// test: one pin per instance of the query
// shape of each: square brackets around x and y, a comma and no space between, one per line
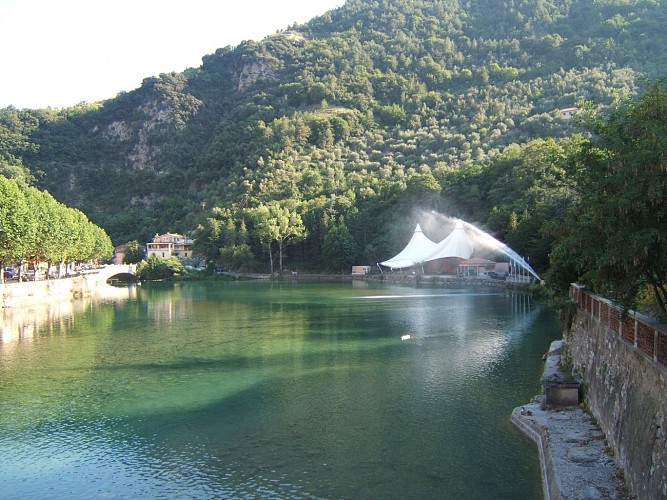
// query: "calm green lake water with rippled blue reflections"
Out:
[272,390]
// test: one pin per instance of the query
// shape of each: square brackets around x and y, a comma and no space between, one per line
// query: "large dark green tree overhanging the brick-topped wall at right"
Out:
[616,238]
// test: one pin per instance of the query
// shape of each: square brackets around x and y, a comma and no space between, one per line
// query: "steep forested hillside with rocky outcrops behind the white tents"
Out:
[326,139]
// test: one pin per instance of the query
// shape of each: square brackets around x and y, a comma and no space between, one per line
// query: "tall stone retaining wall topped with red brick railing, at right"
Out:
[625,387]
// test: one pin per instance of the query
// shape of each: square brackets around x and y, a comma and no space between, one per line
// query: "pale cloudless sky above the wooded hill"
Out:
[58,53]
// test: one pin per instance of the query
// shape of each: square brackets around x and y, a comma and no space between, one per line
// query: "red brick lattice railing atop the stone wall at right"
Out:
[645,335]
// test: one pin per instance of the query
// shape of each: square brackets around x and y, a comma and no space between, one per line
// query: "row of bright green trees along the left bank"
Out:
[36,228]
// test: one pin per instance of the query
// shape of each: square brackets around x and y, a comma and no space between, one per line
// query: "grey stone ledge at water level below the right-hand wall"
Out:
[575,458]
